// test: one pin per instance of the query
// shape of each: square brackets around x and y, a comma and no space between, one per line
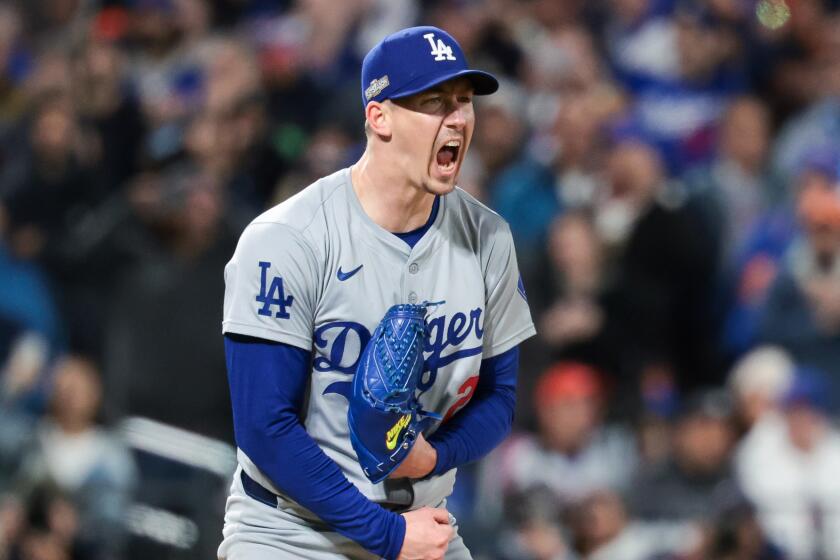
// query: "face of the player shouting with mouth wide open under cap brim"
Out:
[431,133]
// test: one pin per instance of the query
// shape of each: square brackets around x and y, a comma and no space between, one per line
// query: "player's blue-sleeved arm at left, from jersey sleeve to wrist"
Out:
[266,382]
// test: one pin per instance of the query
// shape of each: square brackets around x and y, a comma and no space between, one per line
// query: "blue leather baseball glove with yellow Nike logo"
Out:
[385,416]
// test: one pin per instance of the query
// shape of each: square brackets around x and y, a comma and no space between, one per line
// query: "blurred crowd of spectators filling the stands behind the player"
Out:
[670,170]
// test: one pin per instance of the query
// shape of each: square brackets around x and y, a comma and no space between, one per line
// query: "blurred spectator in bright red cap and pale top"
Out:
[574,451]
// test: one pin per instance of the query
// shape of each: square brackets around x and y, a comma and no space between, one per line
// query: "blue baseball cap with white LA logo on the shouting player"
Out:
[413,60]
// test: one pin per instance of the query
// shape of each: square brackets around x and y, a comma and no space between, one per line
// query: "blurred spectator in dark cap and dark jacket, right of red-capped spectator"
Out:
[684,487]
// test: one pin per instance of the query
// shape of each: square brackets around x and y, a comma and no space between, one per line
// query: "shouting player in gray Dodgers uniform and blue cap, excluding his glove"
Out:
[307,286]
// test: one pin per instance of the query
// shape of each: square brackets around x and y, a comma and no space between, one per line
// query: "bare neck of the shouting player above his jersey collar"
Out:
[388,199]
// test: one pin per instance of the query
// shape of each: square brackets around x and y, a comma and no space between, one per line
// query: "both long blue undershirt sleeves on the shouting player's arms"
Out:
[268,381]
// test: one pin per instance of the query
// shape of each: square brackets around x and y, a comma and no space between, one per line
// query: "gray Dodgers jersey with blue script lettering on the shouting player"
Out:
[317,273]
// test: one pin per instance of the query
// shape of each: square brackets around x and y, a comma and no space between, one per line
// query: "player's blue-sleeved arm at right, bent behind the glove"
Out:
[485,421]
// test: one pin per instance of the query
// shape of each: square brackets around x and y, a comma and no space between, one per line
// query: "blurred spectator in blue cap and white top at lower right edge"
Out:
[787,466]
